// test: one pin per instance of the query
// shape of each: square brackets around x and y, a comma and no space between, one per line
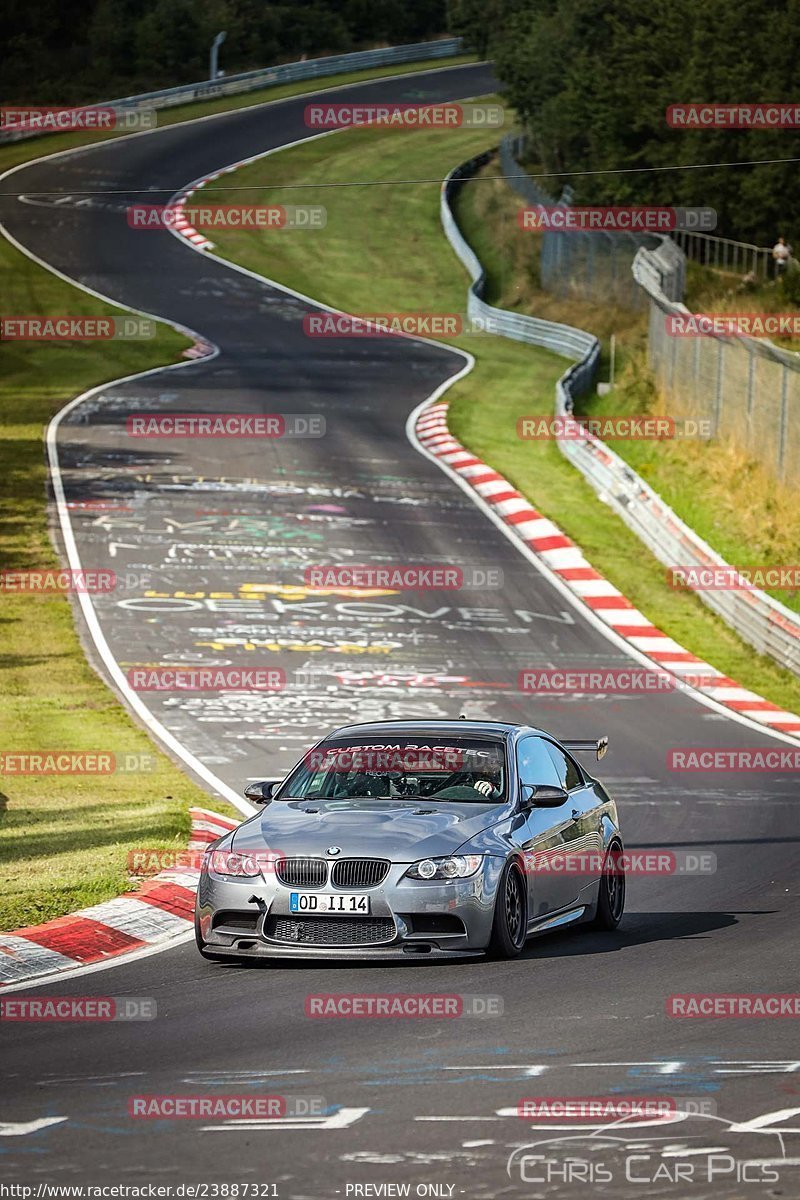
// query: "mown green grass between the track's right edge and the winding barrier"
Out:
[383,250]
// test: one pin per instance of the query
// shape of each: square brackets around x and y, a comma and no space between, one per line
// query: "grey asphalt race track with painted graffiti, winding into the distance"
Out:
[218,531]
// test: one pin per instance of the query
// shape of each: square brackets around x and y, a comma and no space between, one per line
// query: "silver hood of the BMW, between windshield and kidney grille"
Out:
[396,830]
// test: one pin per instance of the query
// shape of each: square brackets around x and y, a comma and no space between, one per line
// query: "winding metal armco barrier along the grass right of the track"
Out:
[766,625]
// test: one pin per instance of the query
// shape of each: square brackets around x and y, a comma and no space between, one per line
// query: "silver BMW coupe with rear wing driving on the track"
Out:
[417,838]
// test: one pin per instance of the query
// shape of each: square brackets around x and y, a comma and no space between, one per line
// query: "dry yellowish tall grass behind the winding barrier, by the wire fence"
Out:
[757,521]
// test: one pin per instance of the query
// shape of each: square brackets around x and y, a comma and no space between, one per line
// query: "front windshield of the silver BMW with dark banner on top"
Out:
[466,770]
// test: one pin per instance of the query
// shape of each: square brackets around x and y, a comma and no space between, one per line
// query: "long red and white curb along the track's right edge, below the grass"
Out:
[567,561]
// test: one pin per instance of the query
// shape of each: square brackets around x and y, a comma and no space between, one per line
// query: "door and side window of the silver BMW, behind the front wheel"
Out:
[548,832]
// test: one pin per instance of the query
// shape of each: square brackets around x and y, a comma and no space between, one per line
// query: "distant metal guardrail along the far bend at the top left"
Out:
[267,77]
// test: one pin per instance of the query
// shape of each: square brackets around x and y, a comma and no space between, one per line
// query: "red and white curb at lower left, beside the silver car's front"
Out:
[161,909]
